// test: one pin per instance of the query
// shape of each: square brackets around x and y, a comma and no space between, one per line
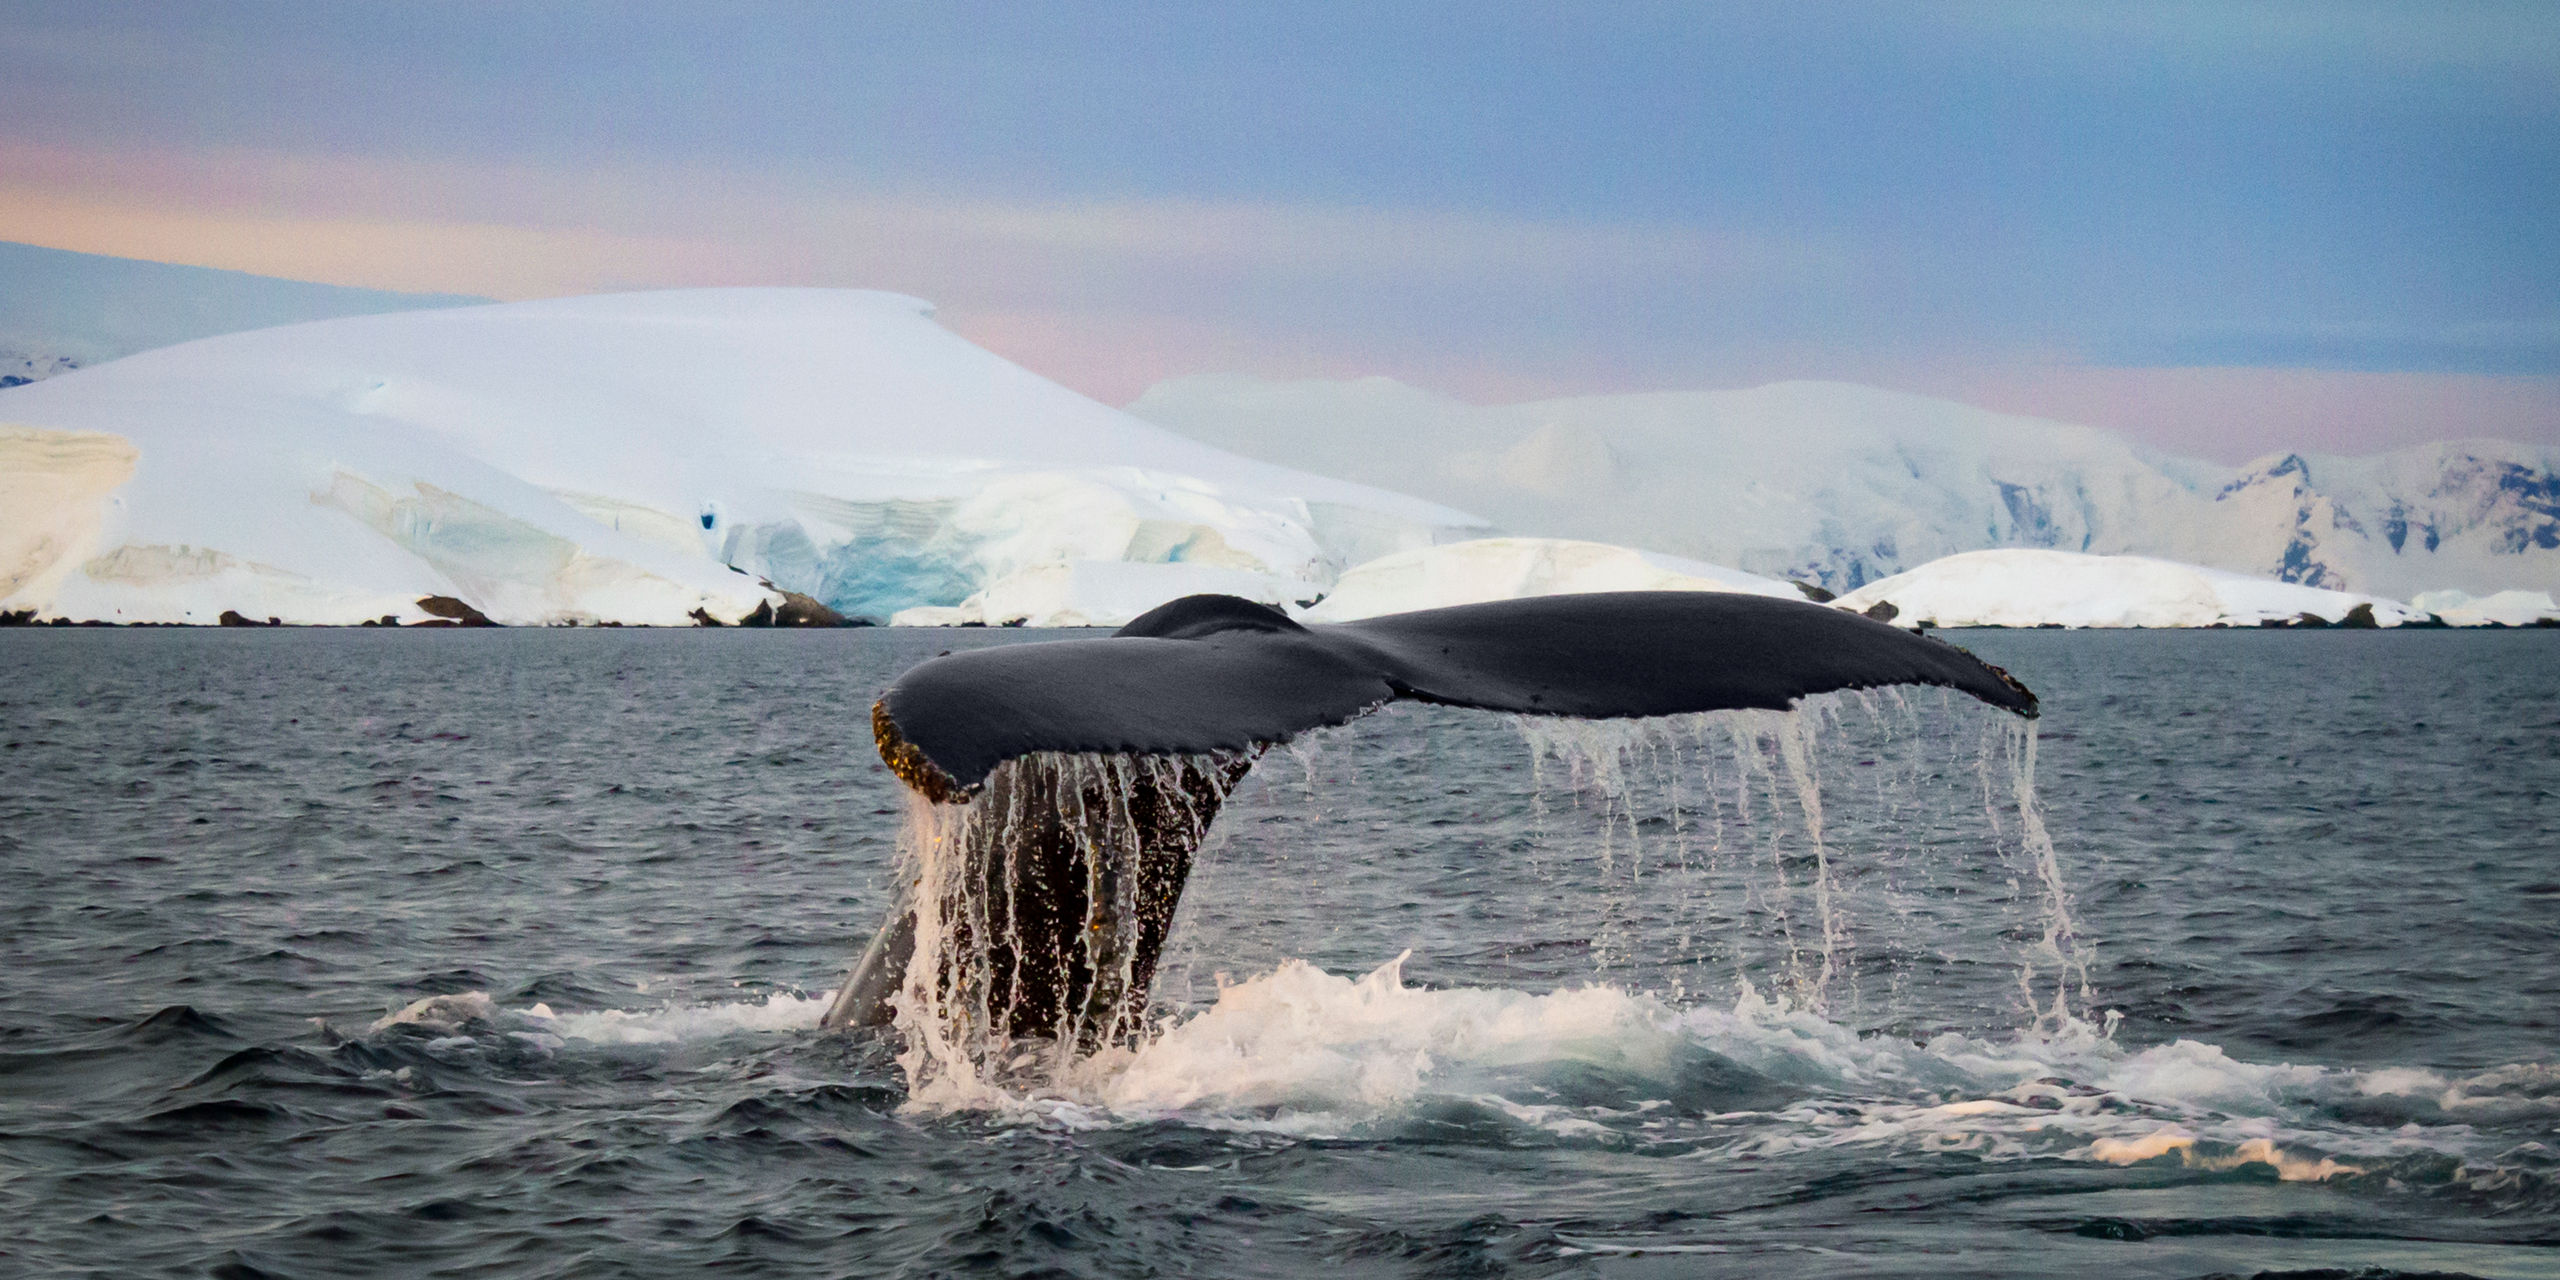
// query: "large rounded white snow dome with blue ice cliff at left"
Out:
[634,460]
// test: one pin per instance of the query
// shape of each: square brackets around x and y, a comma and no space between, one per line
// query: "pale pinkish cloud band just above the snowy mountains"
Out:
[1112,298]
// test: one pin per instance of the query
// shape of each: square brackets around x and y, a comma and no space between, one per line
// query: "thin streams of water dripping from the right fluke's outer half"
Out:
[1873,836]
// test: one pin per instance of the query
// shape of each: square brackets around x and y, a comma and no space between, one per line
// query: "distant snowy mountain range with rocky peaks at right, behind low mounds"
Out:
[1847,485]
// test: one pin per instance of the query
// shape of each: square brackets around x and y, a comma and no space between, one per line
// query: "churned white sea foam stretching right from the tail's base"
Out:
[1312,1053]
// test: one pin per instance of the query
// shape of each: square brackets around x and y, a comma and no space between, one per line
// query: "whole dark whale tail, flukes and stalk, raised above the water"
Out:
[1210,682]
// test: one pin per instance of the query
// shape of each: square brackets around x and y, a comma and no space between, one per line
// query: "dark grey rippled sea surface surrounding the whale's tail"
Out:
[503,954]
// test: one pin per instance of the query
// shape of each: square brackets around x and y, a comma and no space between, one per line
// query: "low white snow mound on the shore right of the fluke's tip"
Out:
[2024,588]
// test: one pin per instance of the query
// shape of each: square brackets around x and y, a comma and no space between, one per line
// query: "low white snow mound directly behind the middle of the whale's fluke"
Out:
[1522,567]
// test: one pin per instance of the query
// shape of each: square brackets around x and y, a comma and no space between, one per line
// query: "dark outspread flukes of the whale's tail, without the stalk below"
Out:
[1222,675]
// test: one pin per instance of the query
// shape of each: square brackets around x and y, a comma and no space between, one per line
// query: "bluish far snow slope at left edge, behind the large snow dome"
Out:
[63,311]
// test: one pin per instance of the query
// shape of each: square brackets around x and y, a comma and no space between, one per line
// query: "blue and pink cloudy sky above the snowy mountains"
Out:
[2221,227]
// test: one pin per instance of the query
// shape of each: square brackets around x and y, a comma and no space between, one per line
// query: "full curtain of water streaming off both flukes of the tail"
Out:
[1875,859]
